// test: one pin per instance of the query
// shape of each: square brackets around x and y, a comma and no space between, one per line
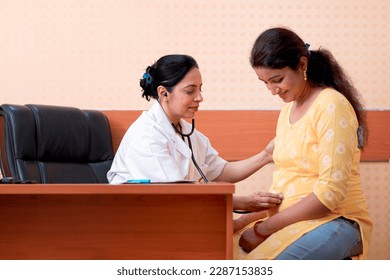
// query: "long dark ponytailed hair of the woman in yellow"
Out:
[277,48]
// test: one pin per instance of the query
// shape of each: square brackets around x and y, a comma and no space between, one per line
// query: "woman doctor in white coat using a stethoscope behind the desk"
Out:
[157,146]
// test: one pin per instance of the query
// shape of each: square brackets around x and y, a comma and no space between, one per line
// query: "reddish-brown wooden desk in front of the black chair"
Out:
[92,221]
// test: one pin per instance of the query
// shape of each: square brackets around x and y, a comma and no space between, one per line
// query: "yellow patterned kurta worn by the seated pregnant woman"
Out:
[319,153]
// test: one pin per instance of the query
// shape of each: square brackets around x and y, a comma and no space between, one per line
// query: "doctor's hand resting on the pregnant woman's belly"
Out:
[257,201]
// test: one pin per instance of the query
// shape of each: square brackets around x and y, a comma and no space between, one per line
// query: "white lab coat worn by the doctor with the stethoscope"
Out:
[151,149]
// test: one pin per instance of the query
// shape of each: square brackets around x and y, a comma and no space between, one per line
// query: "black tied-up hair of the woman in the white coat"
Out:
[167,72]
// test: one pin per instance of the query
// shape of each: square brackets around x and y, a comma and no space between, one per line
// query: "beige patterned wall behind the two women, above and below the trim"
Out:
[92,53]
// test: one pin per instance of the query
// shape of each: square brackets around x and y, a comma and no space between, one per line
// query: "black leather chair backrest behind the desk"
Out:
[54,144]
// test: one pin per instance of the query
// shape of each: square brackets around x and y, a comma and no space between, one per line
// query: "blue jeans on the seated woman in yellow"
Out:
[336,240]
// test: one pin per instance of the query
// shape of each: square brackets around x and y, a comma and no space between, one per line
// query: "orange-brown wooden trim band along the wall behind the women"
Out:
[238,134]
